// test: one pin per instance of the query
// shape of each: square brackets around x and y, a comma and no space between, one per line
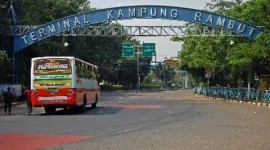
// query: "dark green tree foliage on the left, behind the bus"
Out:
[104,52]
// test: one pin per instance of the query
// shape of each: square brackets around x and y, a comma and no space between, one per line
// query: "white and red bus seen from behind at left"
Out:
[62,82]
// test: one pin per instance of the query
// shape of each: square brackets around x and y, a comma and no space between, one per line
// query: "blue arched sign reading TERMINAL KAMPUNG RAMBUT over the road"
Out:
[136,12]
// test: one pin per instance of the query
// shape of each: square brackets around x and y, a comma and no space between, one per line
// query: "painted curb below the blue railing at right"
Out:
[262,104]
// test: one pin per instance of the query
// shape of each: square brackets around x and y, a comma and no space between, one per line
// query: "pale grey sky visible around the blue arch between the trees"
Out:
[164,47]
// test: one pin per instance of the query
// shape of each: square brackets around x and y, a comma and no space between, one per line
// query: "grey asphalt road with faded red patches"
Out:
[135,121]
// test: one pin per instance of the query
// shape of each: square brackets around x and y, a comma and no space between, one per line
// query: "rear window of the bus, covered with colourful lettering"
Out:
[52,66]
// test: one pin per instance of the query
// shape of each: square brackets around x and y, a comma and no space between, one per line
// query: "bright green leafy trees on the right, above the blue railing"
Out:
[230,62]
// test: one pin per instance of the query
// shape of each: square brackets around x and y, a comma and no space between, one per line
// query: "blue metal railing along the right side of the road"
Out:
[235,93]
